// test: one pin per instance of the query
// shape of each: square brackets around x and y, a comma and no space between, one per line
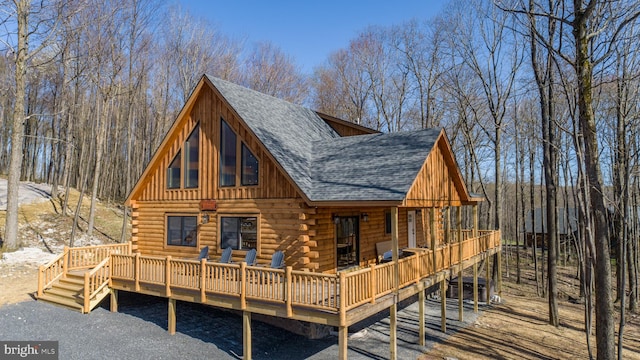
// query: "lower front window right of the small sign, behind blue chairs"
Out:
[239,233]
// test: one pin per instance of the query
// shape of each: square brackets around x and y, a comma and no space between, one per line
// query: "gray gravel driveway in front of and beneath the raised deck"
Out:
[138,331]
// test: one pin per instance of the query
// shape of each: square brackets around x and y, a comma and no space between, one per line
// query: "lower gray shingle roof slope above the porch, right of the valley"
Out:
[370,167]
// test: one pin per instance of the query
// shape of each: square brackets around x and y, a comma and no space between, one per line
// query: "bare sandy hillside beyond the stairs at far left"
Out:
[44,232]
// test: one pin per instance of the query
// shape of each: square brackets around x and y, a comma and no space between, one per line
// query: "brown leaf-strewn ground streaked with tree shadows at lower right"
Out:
[518,328]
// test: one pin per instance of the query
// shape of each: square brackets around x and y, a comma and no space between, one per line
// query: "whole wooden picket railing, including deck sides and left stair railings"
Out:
[336,293]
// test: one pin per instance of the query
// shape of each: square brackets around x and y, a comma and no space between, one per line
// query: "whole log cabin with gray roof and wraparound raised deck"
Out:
[245,170]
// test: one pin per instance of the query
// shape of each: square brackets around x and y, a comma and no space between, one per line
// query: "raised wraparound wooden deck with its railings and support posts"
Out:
[337,300]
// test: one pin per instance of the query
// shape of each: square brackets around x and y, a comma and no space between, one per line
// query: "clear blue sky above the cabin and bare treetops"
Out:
[307,30]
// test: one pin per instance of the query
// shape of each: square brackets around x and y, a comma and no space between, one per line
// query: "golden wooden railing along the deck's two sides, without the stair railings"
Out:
[337,293]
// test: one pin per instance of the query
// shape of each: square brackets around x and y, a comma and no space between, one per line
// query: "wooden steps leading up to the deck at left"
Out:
[69,292]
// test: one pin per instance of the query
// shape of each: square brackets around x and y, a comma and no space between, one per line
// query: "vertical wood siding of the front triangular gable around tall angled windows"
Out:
[207,110]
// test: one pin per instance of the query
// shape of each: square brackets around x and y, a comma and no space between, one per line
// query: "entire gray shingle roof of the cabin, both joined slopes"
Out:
[325,166]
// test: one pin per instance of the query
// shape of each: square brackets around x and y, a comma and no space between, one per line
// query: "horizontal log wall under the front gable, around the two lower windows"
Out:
[283,225]
